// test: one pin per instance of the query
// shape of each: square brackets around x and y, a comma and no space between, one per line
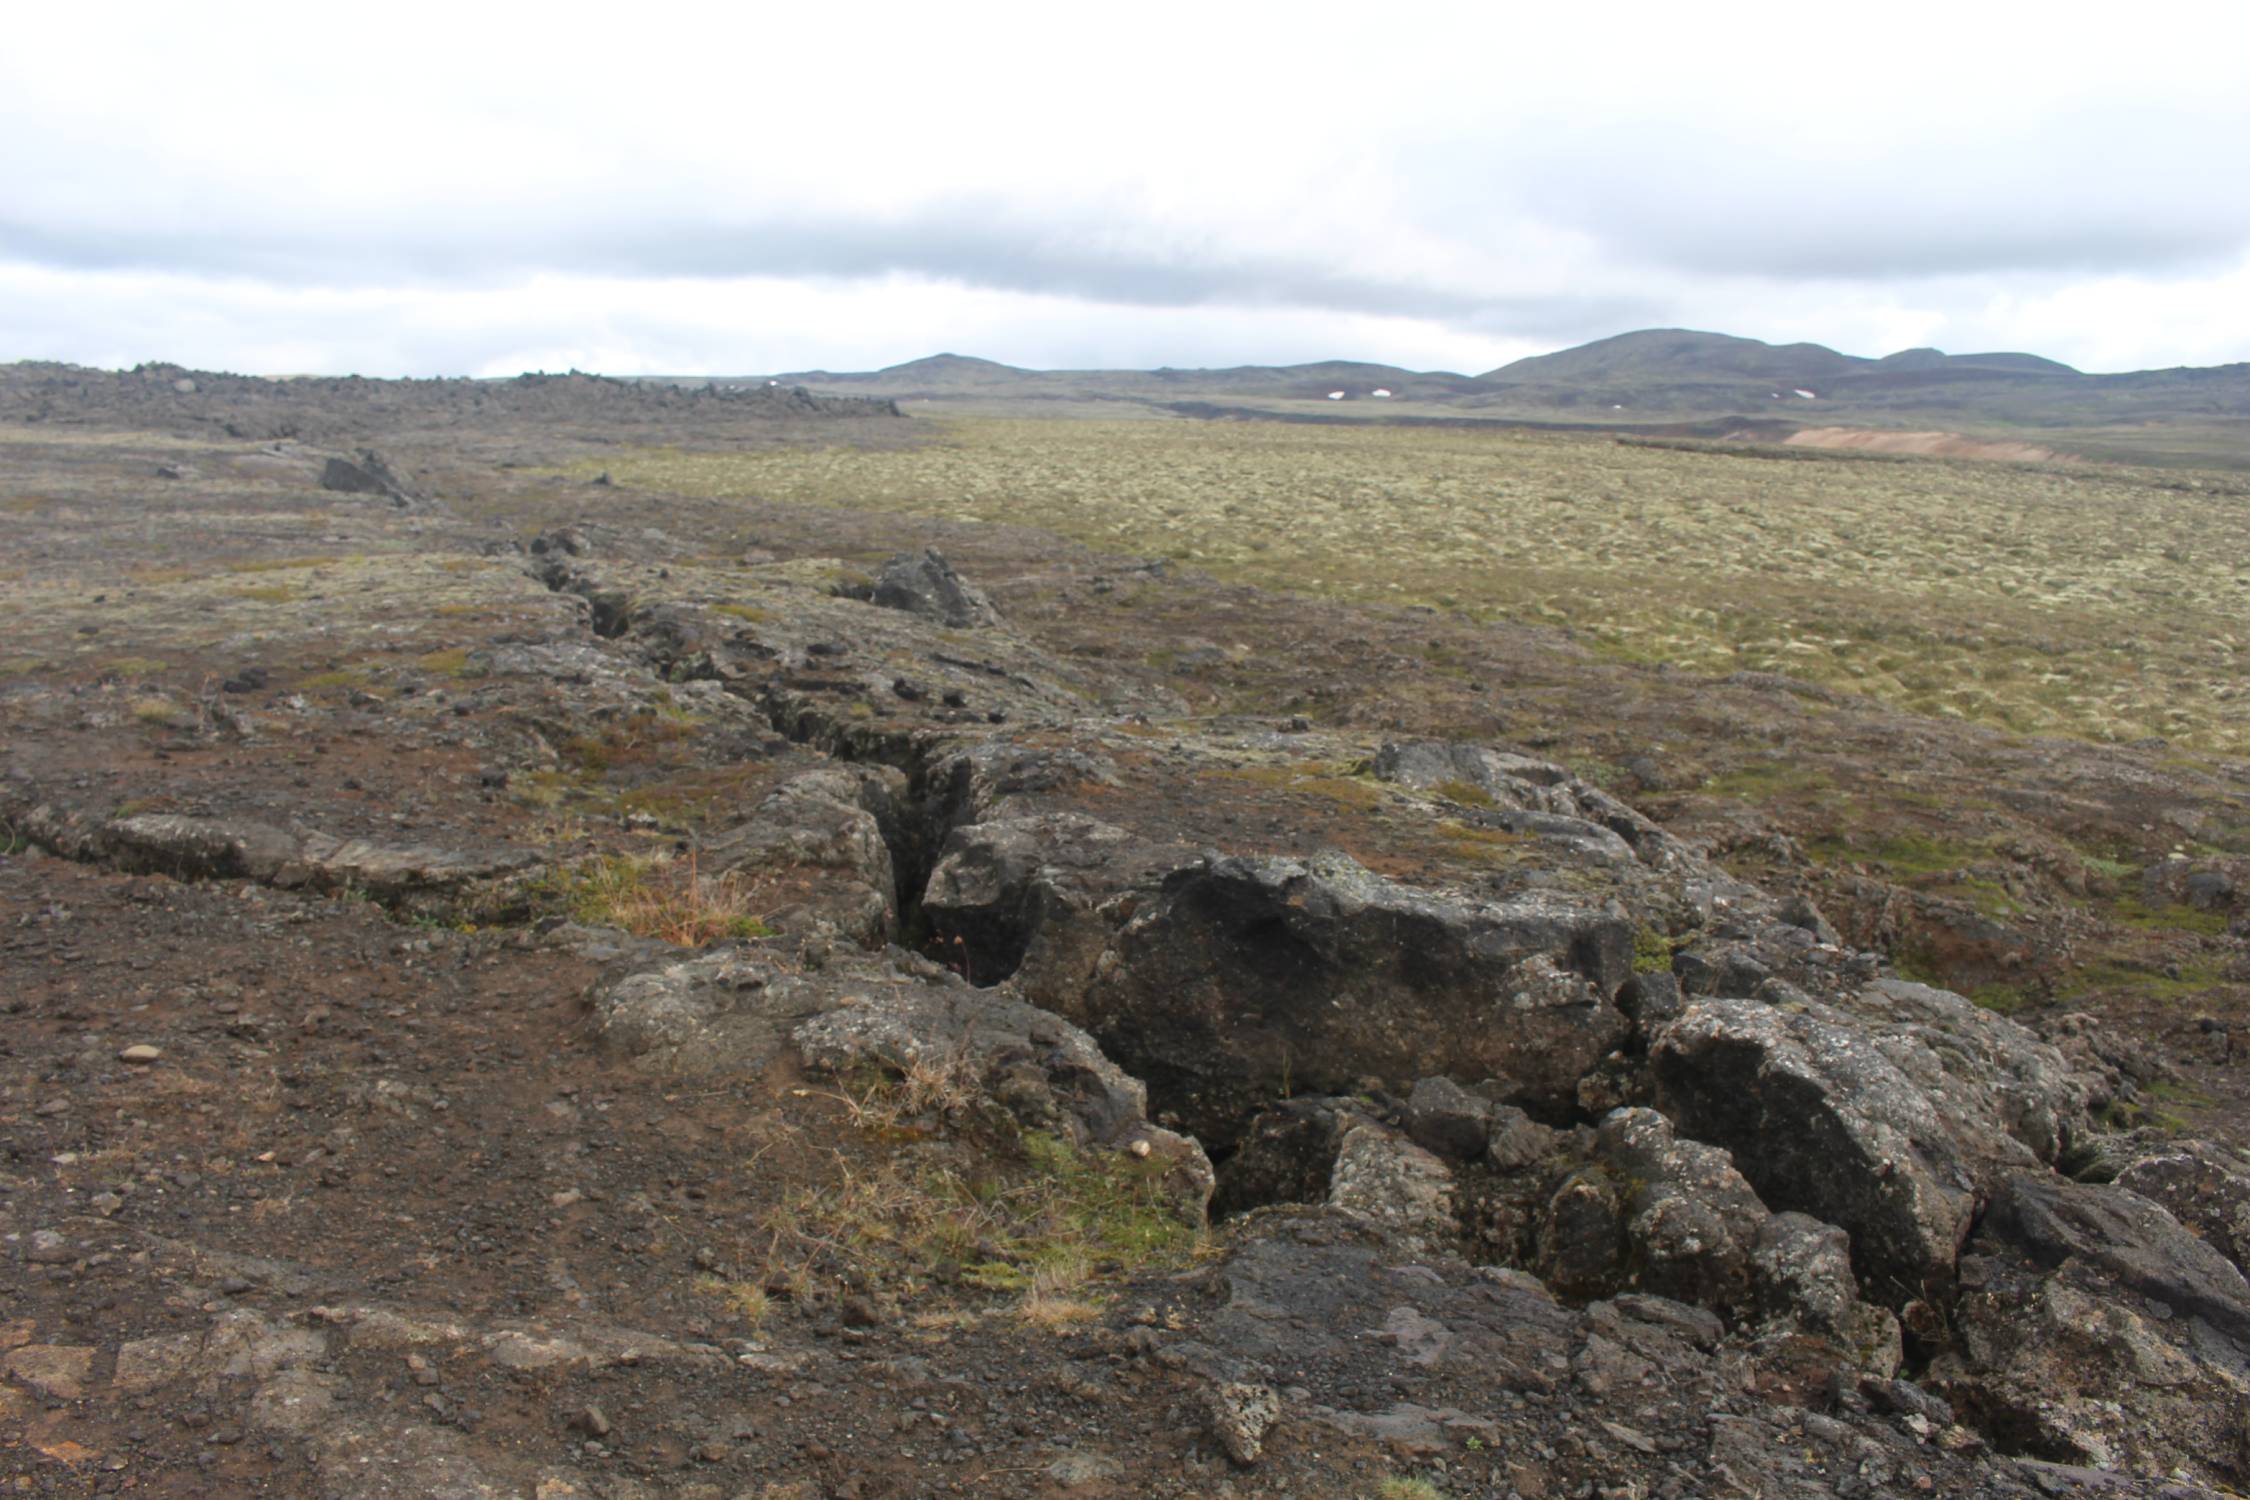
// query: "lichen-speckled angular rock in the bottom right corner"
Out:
[2096,1330]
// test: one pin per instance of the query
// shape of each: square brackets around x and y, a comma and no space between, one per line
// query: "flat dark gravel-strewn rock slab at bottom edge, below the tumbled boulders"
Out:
[1425,1355]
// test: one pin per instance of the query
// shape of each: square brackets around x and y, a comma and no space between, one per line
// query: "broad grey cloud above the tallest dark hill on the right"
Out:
[1977,199]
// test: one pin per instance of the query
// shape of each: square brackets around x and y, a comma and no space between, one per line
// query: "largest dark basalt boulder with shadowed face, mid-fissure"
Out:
[1245,979]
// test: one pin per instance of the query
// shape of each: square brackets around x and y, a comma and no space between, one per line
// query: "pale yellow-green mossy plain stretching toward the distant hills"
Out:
[2089,602]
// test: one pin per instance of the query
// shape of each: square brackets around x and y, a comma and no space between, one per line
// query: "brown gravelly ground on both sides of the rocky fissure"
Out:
[321,1173]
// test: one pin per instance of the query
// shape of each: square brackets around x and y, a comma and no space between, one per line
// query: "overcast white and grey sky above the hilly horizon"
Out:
[746,190]
